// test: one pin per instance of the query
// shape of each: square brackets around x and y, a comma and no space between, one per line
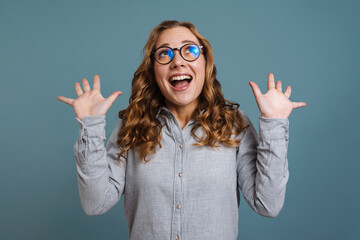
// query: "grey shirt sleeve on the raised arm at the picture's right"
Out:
[262,166]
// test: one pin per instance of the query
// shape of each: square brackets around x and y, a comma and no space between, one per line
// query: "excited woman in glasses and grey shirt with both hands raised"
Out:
[181,152]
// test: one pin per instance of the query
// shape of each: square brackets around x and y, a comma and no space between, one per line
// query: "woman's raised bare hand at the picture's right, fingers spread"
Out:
[274,103]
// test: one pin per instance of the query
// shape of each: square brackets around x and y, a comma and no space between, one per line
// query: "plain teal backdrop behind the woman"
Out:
[46,46]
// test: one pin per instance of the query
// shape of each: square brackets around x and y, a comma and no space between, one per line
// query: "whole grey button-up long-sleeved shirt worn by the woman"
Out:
[184,191]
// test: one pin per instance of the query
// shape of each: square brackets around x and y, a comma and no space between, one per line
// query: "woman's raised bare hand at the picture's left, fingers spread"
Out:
[90,102]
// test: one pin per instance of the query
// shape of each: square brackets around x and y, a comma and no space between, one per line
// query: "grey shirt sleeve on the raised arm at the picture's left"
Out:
[101,179]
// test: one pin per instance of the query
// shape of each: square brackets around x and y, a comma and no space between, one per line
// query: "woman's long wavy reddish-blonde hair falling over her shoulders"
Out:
[141,130]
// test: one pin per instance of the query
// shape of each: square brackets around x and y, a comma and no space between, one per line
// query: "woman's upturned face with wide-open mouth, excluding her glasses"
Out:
[183,93]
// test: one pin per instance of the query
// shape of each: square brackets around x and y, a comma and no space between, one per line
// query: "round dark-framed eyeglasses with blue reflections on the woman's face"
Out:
[189,52]
